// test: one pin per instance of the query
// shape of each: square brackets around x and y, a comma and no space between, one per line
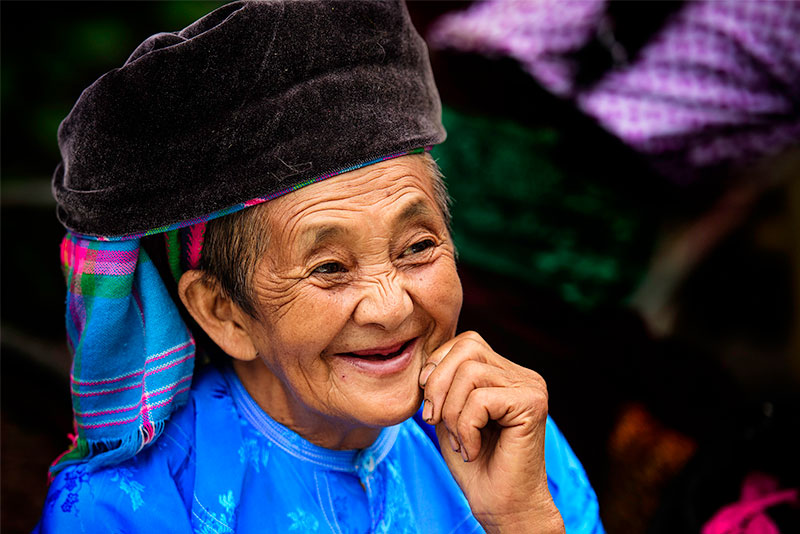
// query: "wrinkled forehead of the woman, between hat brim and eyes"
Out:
[393,190]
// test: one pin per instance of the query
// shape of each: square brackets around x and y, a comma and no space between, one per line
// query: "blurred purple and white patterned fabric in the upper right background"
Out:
[719,83]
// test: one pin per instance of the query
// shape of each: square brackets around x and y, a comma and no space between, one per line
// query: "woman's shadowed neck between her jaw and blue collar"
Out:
[323,430]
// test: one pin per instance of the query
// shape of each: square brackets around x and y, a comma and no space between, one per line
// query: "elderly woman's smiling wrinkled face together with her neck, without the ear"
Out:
[357,288]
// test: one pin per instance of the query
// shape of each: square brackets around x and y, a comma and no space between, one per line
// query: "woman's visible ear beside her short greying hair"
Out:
[223,321]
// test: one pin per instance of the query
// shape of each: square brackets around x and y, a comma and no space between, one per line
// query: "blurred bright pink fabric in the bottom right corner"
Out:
[747,516]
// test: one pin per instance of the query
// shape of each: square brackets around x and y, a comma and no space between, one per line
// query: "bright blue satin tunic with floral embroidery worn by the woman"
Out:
[223,465]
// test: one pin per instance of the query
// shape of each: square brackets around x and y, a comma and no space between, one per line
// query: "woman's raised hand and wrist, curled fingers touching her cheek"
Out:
[490,417]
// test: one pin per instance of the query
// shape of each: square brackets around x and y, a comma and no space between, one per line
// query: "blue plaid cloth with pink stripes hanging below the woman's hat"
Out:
[133,356]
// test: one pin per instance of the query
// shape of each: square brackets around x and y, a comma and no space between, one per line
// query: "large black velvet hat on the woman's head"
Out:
[252,100]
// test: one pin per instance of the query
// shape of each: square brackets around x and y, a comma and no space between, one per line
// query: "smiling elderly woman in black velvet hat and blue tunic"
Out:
[328,307]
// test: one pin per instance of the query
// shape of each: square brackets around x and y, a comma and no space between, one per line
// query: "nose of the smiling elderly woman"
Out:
[385,302]
